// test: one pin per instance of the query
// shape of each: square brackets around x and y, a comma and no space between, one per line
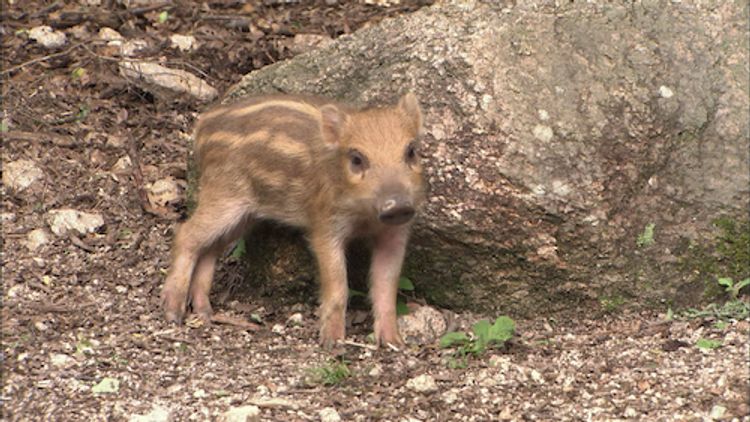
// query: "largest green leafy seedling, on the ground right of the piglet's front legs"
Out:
[483,336]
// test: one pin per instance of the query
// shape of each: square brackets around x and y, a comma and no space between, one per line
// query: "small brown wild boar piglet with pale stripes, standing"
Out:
[292,159]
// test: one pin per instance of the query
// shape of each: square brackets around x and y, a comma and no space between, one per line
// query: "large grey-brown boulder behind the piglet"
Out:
[555,136]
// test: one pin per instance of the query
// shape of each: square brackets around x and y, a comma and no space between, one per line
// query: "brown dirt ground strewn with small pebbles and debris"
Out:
[80,312]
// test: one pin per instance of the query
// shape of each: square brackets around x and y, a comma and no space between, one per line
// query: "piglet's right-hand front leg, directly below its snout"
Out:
[387,258]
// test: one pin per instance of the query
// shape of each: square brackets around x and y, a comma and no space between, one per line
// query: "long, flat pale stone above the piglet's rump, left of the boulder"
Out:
[178,81]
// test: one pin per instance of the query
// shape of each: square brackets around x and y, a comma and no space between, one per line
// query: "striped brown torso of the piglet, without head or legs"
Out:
[266,149]
